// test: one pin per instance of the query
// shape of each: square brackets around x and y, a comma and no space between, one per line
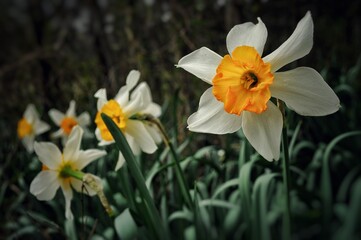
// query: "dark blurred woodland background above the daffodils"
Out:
[55,51]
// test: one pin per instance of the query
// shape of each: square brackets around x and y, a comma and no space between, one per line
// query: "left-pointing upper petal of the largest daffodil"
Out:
[201,63]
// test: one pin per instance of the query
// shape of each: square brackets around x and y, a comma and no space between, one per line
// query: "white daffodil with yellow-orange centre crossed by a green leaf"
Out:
[124,109]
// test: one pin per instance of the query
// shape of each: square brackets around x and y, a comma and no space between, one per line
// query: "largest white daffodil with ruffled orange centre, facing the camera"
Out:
[243,84]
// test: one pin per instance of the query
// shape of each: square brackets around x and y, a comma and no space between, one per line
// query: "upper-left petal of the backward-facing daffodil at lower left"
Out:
[49,154]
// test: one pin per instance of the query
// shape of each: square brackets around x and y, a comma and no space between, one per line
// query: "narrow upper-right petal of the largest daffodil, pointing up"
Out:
[296,46]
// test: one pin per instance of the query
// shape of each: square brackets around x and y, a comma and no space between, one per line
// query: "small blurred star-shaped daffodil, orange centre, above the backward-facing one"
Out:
[67,121]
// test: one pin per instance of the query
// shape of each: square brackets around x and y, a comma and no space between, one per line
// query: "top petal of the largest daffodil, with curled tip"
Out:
[247,34]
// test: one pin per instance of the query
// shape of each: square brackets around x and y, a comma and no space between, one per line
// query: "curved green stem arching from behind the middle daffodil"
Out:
[178,170]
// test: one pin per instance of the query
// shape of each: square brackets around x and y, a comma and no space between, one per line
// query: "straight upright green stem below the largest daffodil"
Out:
[286,178]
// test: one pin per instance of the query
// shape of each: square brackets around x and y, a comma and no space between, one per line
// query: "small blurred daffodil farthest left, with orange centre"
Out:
[29,126]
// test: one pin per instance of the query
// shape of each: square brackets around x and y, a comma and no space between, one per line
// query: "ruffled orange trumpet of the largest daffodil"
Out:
[242,81]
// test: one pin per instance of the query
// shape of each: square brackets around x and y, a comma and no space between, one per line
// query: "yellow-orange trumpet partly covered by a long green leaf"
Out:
[115,112]
